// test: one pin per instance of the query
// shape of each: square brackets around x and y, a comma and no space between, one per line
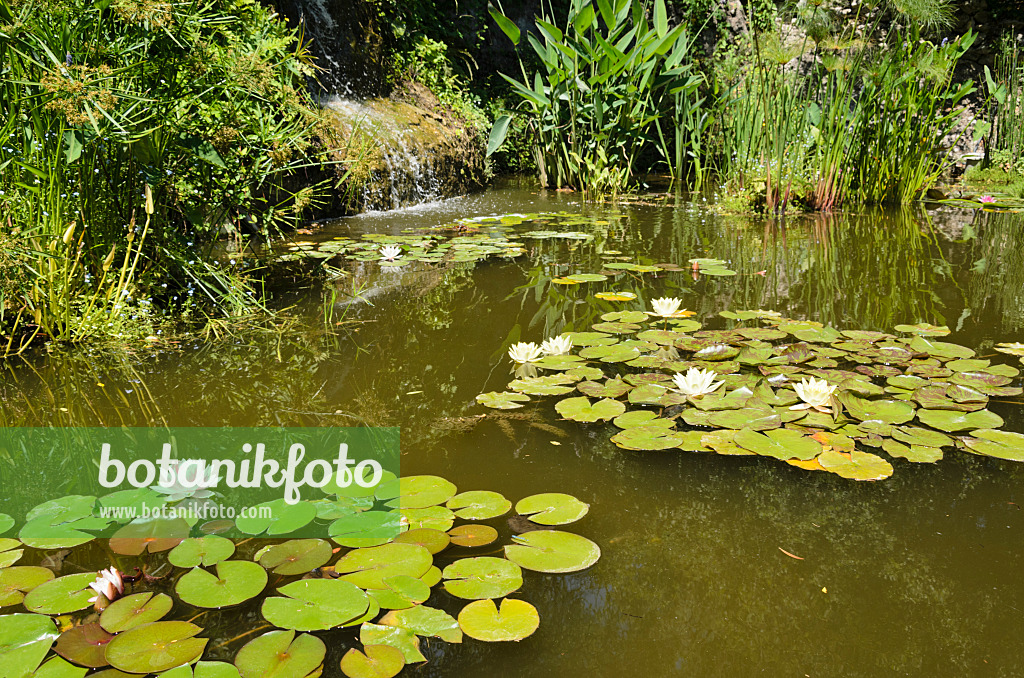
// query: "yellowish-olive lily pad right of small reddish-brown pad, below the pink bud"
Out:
[155,648]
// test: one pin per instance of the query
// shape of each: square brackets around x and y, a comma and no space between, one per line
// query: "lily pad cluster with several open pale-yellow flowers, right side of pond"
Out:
[801,393]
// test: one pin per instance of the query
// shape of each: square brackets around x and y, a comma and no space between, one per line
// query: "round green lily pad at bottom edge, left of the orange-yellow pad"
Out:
[281,655]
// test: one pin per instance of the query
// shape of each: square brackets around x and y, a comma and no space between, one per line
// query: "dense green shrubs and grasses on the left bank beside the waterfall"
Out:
[131,138]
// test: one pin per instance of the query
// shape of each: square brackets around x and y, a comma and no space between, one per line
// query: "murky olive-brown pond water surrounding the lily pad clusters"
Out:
[917,576]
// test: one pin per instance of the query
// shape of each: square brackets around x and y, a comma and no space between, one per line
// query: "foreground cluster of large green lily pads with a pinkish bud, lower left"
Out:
[389,555]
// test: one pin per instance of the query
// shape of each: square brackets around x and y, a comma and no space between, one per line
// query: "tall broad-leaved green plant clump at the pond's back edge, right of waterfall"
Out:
[608,81]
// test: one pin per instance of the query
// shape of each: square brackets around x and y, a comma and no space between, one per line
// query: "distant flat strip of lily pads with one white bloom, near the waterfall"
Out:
[463,241]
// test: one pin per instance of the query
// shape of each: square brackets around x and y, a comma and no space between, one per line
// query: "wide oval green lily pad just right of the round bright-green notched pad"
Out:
[316,605]
